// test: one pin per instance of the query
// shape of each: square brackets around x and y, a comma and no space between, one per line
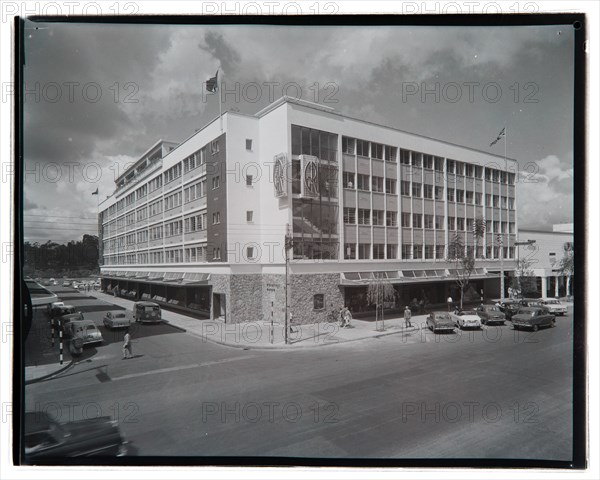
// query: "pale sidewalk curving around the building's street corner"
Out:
[259,335]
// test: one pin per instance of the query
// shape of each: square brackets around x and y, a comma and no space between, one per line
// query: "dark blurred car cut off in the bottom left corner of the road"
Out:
[44,437]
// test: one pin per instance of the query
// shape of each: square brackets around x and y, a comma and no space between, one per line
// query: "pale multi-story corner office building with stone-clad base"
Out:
[201,226]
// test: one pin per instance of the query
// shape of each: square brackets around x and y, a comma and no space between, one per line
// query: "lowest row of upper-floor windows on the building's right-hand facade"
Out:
[380,251]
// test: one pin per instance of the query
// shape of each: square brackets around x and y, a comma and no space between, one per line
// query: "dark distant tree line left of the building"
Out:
[50,258]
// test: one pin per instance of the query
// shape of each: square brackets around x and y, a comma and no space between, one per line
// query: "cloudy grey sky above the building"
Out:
[98,96]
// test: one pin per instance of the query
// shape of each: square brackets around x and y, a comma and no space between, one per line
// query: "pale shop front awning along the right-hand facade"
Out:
[409,276]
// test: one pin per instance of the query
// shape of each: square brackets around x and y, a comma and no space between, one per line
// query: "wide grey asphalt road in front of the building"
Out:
[494,393]
